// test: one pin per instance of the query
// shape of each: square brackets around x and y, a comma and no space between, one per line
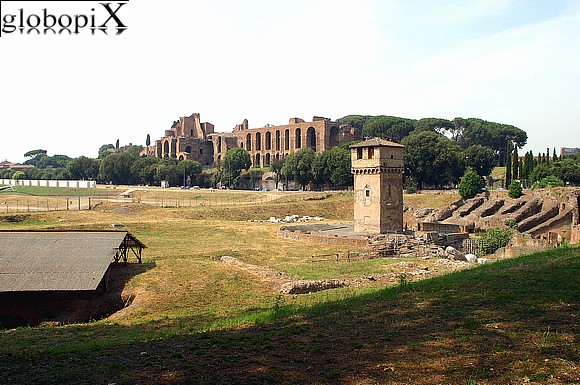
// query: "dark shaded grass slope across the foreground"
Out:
[508,322]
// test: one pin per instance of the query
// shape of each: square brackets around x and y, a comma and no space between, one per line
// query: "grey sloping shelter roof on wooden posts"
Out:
[60,260]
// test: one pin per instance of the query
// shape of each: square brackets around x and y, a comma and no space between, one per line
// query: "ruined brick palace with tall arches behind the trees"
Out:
[188,138]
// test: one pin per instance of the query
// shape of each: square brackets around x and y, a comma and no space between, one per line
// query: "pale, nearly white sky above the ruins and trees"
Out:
[508,61]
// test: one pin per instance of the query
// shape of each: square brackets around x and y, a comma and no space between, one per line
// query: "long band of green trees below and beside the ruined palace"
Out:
[437,154]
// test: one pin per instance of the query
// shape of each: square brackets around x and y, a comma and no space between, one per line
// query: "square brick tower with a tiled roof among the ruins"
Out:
[378,166]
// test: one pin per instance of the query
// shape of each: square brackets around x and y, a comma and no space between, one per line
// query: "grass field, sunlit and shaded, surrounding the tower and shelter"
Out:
[197,320]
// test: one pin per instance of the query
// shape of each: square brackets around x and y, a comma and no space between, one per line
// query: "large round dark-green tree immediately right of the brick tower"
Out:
[433,159]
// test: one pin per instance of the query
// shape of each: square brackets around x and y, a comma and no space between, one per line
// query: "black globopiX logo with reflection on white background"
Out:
[87,17]
